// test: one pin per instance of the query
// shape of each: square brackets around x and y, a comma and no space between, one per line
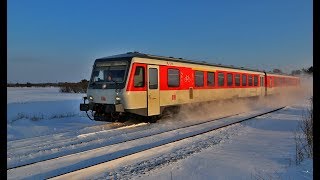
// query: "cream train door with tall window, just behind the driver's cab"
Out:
[153,90]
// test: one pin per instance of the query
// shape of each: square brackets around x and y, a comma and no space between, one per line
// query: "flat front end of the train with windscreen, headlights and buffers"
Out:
[104,101]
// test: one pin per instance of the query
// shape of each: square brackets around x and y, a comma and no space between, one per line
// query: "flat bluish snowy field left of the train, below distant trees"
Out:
[39,111]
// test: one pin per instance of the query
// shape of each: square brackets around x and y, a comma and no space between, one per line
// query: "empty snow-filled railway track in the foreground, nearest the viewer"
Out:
[78,161]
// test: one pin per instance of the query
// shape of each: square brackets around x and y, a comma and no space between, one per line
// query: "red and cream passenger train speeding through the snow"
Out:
[148,85]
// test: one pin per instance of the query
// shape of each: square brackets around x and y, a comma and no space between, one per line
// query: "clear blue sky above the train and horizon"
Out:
[58,40]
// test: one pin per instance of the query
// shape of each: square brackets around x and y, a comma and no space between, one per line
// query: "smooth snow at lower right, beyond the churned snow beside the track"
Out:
[262,148]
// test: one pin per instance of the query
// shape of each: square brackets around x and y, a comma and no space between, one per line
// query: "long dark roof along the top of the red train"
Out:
[142,55]
